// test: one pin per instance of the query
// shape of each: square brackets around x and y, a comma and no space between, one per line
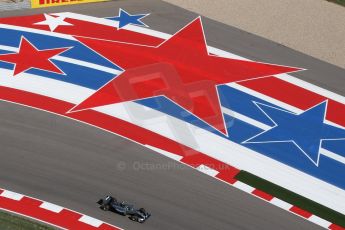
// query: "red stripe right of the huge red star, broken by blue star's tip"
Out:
[296,96]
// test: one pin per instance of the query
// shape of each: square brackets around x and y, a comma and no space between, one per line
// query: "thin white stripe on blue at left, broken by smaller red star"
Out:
[72,61]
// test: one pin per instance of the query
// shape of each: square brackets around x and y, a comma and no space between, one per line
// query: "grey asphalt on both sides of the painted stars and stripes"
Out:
[73,164]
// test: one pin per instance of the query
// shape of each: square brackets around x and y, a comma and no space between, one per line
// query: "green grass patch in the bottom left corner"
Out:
[13,222]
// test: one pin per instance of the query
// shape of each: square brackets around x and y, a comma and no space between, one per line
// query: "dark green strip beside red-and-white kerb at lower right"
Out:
[292,198]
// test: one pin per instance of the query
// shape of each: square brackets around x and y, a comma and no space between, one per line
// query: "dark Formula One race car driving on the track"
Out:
[109,203]
